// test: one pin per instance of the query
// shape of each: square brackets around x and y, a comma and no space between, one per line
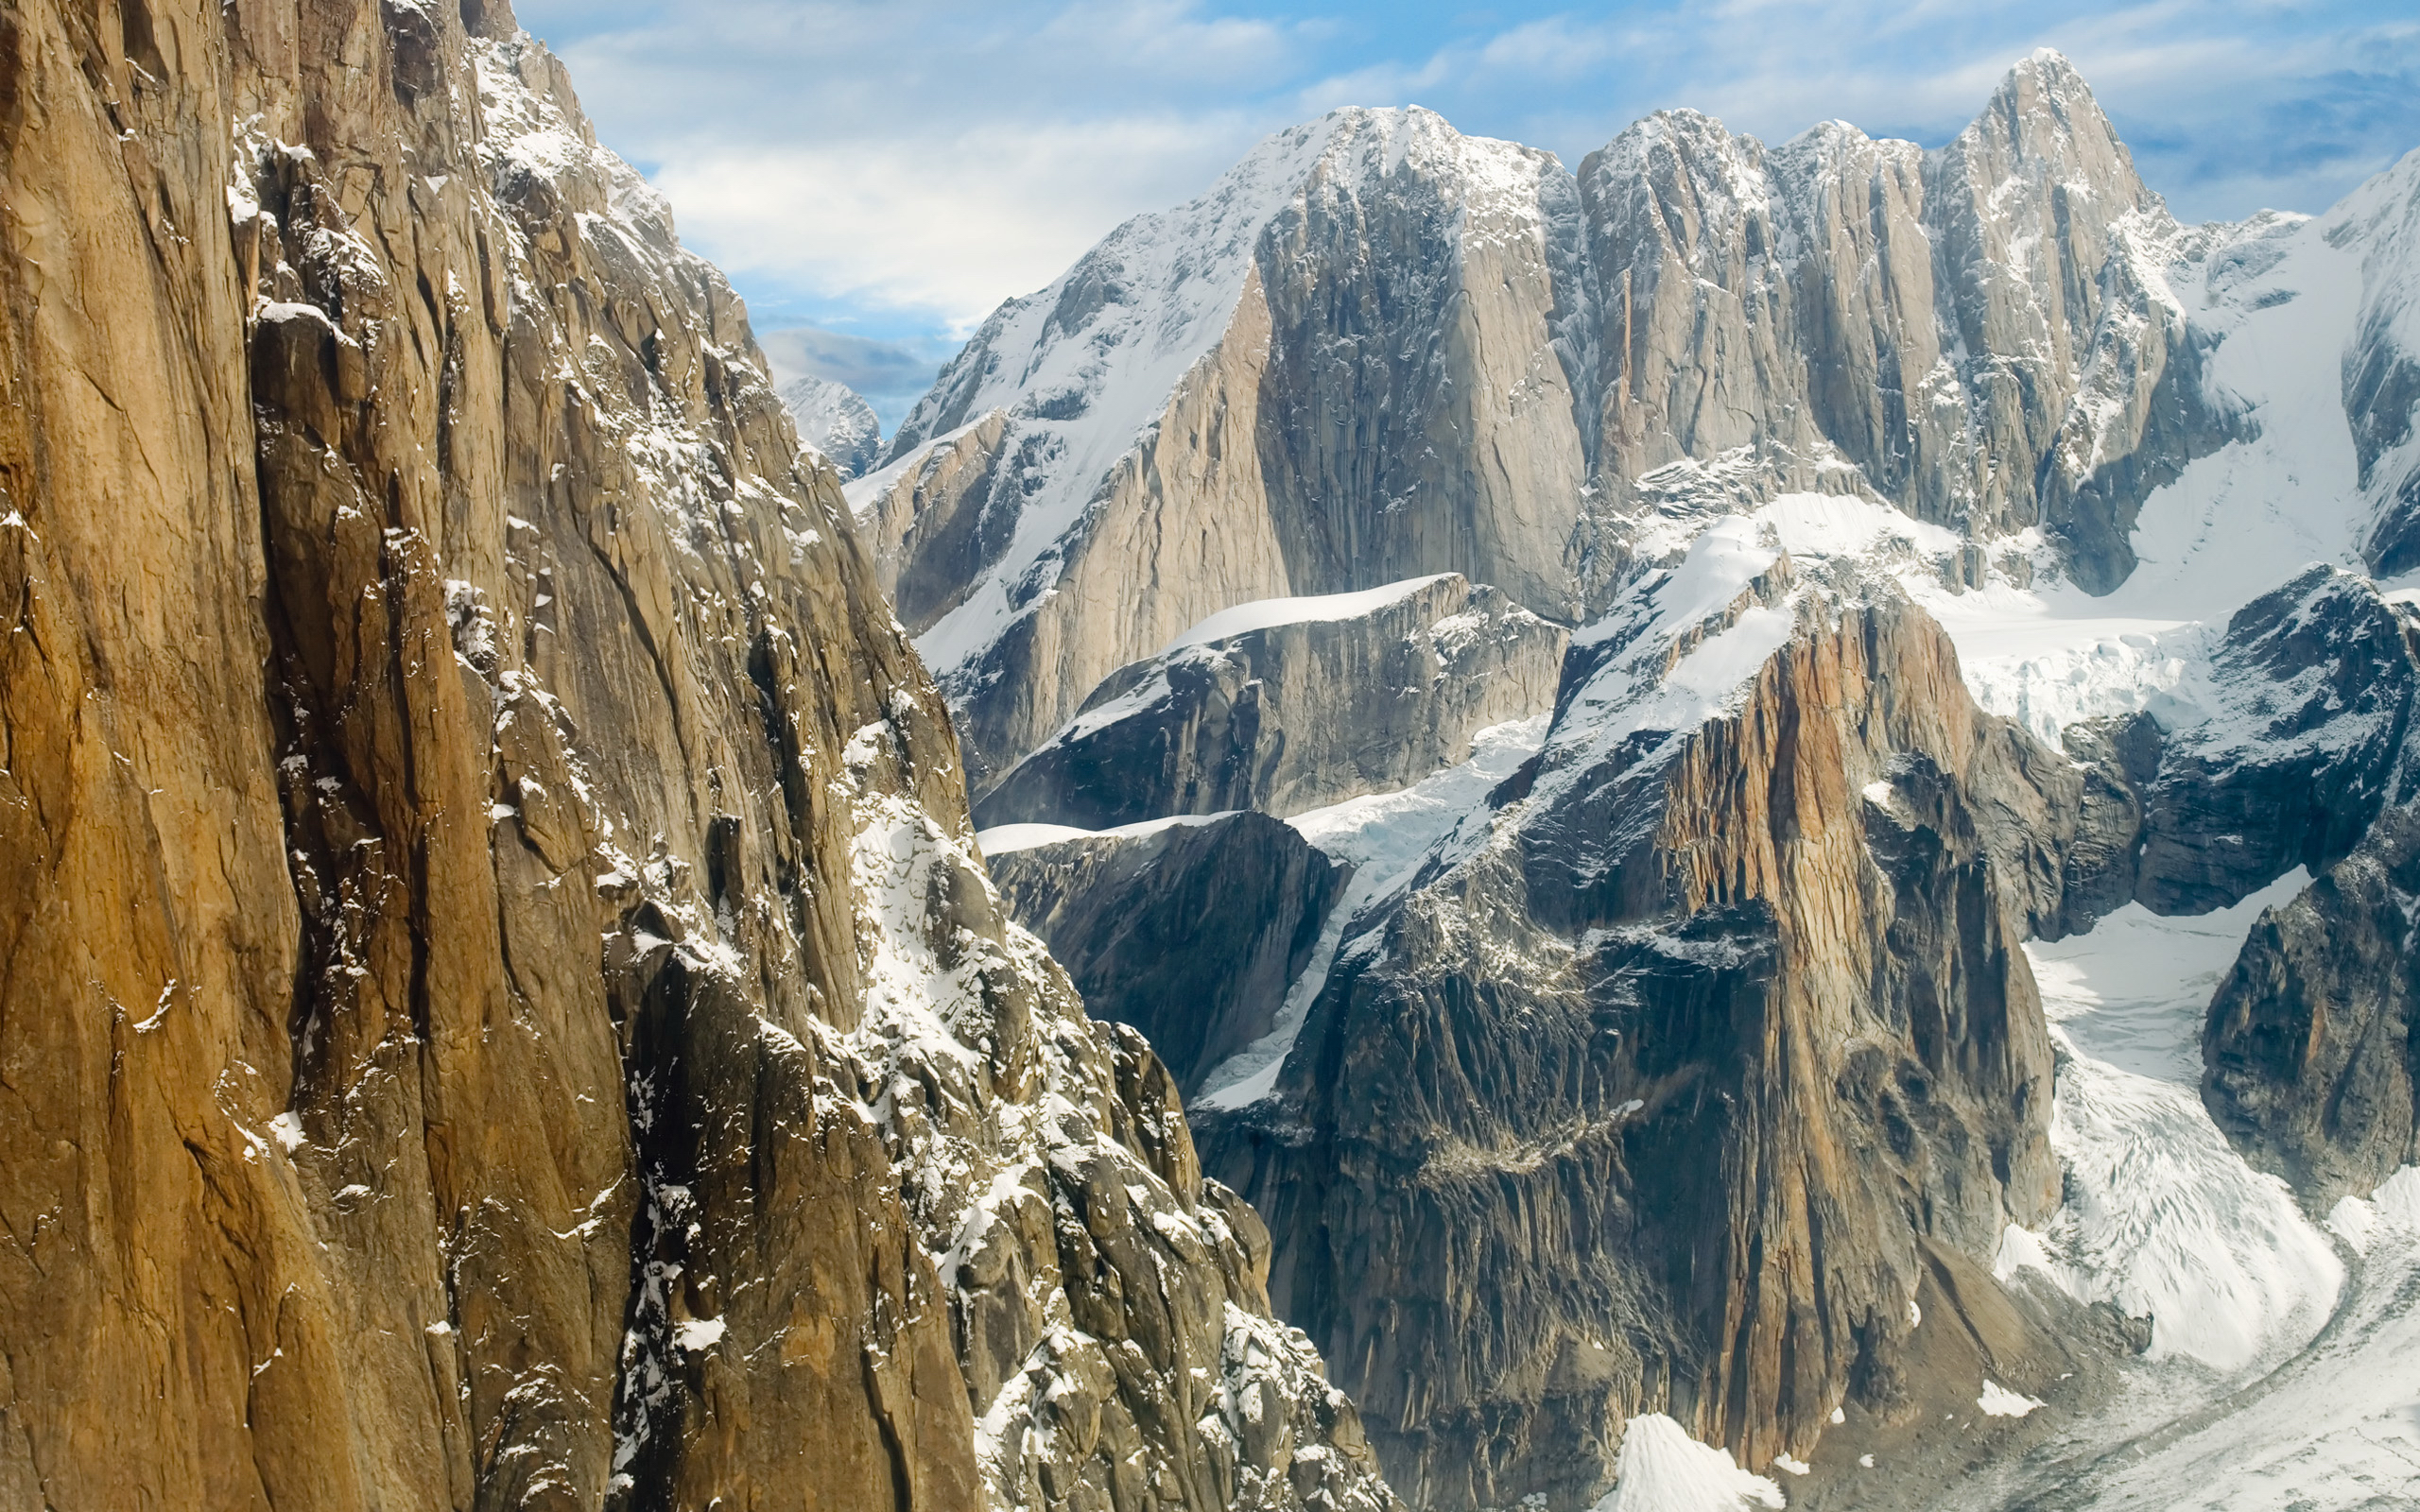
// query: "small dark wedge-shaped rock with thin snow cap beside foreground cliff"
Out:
[1189,933]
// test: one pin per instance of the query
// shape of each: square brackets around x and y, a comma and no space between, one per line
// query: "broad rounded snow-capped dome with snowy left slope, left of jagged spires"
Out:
[1192,417]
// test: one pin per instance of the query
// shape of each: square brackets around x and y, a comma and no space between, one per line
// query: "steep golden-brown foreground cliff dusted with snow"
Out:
[502,1003]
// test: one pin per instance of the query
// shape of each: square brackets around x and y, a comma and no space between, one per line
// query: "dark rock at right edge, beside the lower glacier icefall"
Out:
[2312,1049]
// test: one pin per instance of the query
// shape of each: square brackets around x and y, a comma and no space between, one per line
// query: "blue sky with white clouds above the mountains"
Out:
[892,171]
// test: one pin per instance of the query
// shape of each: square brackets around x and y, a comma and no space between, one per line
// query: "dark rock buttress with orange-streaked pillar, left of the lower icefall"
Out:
[1649,1097]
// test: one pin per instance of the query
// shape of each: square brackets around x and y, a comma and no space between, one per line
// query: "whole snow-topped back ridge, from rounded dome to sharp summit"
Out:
[1381,350]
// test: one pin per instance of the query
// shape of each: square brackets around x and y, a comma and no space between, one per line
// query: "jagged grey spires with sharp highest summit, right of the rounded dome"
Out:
[1857,316]
